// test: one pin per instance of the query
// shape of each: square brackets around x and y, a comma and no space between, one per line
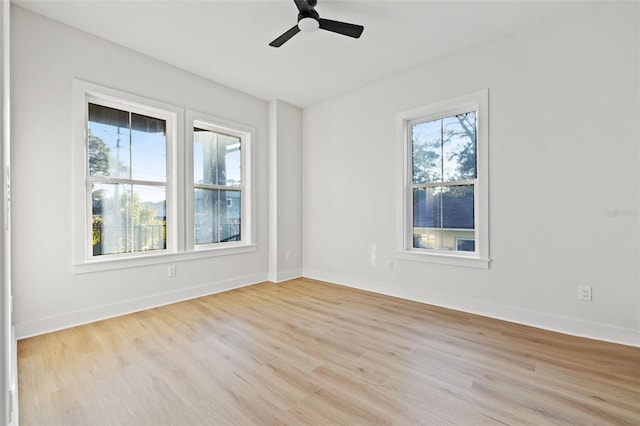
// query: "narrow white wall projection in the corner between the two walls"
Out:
[285,191]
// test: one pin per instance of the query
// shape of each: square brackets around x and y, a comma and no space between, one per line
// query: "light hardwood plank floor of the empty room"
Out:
[307,352]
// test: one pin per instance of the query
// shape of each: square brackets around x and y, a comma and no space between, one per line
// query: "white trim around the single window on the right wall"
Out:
[480,259]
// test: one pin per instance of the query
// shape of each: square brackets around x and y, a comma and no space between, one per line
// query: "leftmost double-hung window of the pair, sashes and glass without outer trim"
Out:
[126,178]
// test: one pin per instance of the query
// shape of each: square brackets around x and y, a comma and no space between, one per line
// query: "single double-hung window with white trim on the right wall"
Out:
[444,196]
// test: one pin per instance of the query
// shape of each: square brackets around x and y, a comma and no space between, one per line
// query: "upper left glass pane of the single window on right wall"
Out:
[426,150]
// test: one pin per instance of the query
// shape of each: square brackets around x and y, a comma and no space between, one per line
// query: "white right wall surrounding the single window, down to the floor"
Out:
[564,178]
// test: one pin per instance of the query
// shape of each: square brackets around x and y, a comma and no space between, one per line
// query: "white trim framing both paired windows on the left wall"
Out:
[178,212]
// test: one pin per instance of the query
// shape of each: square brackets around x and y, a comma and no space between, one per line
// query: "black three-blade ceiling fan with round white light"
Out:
[309,20]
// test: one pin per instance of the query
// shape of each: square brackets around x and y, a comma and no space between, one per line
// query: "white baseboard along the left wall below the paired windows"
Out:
[58,322]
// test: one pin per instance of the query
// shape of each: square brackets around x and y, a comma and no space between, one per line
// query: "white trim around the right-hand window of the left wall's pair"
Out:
[246,135]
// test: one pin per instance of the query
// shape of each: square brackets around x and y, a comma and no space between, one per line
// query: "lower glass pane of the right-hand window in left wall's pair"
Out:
[216,216]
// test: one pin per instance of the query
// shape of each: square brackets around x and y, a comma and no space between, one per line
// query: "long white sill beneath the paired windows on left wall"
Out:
[156,259]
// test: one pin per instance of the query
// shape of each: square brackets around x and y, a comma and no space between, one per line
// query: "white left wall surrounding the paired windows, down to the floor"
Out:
[46,56]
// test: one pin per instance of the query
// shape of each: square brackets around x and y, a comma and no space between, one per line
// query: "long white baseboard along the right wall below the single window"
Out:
[543,320]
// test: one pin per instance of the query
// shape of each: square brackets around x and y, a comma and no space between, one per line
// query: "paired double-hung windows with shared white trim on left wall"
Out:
[156,183]
